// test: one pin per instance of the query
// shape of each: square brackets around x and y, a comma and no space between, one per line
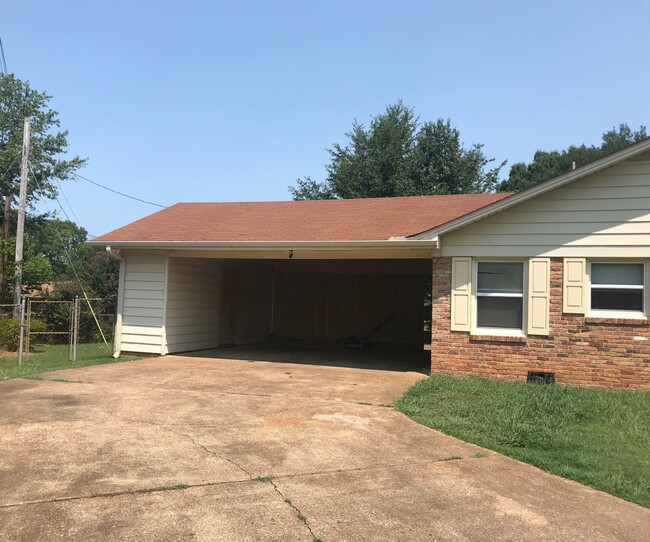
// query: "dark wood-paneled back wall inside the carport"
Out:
[318,301]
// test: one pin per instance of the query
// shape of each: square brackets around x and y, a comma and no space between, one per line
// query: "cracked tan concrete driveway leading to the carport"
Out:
[183,448]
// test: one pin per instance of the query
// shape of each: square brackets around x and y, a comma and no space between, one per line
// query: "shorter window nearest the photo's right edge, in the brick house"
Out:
[617,287]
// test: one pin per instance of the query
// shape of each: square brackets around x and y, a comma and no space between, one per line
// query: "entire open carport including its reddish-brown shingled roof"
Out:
[336,273]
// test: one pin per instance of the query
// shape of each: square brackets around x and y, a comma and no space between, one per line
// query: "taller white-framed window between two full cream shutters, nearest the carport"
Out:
[500,295]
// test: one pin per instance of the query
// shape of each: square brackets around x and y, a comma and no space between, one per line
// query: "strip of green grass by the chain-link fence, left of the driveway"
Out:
[55,357]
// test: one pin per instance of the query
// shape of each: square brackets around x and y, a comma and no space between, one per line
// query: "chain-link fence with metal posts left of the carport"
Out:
[47,332]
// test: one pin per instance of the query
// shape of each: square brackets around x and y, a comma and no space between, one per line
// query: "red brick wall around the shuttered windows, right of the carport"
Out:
[579,350]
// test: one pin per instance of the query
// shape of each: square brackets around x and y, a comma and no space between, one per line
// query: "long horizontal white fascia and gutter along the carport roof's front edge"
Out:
[275,245]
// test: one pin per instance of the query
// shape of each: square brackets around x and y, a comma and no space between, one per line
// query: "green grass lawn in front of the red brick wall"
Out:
[597,437]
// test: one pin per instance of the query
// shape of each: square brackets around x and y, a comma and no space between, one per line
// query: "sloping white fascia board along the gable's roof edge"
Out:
[542,188]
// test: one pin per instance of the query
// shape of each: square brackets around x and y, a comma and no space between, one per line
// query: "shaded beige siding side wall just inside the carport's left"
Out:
[192,321]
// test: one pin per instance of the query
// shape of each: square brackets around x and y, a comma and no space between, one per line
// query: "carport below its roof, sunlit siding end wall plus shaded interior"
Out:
[215,301]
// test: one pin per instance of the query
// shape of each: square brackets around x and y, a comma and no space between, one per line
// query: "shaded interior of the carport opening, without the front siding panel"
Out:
[352,303]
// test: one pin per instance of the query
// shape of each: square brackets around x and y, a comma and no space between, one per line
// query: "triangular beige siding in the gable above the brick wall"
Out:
[604,215]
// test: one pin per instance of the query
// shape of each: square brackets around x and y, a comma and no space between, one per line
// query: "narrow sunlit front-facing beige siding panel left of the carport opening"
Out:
[143,302]
